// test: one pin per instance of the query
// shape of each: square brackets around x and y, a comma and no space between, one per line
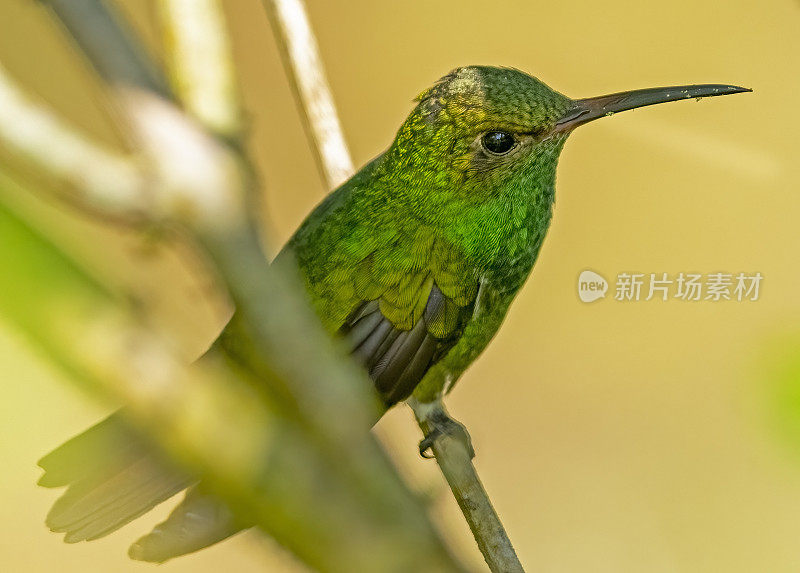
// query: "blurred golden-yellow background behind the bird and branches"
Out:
[612,436]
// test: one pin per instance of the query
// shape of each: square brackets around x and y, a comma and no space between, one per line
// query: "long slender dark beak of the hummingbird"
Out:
[589,109]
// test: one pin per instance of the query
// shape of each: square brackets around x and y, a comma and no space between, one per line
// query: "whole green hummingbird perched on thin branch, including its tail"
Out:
[412,263]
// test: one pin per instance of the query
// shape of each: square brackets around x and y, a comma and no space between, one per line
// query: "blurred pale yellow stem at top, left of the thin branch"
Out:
[200,63]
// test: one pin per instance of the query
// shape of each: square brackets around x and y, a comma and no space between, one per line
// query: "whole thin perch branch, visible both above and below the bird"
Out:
[299,47]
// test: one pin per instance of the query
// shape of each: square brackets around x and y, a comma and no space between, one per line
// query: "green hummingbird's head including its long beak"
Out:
[481,130]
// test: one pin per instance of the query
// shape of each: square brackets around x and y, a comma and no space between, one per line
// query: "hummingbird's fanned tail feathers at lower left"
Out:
[112,477]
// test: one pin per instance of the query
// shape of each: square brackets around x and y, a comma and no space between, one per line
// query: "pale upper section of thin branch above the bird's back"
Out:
[304,66]
